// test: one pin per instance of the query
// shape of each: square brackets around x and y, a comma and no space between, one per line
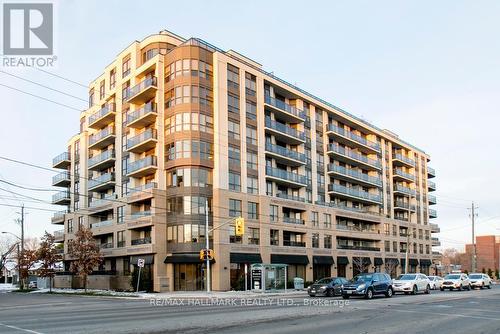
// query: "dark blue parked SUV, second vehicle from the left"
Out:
[368,285]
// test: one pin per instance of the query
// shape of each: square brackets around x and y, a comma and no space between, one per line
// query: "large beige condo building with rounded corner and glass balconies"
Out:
[174,123]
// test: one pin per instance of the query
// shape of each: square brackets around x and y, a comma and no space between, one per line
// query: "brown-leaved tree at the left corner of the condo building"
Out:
[85,254]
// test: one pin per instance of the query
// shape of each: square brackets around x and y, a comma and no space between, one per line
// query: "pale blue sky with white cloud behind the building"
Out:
[426,70]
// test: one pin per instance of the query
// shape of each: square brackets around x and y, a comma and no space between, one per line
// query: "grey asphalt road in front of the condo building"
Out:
[440,312]
